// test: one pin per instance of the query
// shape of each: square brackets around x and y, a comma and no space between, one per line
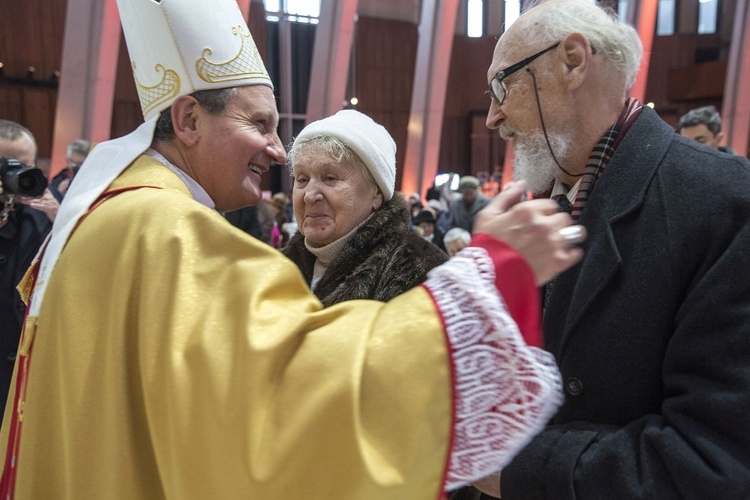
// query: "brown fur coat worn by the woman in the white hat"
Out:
[383,259]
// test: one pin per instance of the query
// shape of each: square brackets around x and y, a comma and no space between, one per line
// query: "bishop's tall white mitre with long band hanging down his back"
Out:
[176,47]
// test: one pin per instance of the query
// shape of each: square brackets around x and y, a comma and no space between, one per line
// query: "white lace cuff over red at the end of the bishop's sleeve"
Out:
[505,391]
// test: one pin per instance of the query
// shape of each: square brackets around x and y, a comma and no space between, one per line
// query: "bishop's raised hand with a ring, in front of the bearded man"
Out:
[533,229]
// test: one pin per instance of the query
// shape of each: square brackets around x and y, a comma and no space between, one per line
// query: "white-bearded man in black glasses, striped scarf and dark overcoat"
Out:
[651,330]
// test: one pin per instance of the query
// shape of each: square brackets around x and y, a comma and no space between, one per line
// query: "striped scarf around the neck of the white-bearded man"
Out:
[602,153]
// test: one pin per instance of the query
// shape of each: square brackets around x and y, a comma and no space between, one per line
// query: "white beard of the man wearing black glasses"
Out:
[533,161]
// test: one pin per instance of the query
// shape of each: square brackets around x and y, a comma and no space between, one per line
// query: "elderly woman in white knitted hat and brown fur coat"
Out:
[354,240]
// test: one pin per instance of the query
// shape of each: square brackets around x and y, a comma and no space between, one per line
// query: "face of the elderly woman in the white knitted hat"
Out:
[330,198]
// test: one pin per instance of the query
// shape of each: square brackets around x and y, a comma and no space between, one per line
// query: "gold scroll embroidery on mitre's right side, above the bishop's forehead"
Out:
[246,64]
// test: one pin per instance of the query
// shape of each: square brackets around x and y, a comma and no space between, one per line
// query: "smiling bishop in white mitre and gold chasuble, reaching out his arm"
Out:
[187,359]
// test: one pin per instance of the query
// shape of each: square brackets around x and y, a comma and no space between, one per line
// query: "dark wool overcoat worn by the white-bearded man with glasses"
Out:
[651,331]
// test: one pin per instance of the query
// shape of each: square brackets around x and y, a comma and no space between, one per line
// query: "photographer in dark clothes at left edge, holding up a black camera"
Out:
[24,223]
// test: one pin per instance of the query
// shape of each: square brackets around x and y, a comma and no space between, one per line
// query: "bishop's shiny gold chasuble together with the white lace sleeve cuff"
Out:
[177,357]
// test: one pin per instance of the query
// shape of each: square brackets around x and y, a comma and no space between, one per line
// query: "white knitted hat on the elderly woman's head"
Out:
[371,141]
